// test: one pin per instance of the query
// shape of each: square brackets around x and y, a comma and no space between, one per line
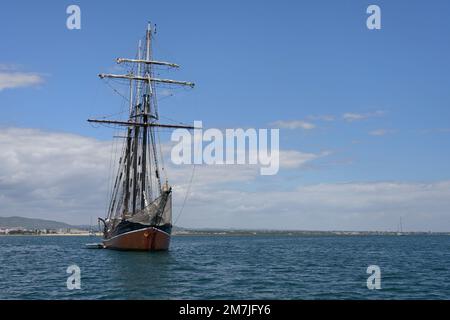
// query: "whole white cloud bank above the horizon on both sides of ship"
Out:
[65,177]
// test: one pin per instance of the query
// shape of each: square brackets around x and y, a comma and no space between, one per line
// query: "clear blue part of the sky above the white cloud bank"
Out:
[384,92]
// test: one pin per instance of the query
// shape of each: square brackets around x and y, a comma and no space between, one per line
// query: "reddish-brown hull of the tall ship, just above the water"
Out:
[142,239]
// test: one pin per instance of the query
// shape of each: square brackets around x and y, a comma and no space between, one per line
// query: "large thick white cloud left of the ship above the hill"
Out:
[52,175]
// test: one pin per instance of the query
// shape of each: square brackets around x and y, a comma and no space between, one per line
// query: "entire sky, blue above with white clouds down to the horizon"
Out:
[364,115]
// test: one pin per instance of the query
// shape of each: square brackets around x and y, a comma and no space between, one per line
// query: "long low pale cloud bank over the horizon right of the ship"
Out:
[347,206]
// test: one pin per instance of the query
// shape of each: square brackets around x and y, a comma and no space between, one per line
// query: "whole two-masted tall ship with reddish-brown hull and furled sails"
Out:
[139,214]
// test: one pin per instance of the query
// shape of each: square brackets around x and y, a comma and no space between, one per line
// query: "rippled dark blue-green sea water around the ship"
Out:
[218,267]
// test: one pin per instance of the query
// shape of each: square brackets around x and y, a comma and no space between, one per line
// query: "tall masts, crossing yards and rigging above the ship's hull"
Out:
[140,130]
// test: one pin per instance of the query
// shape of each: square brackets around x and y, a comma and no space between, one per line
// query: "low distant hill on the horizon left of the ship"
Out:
[29,223]
